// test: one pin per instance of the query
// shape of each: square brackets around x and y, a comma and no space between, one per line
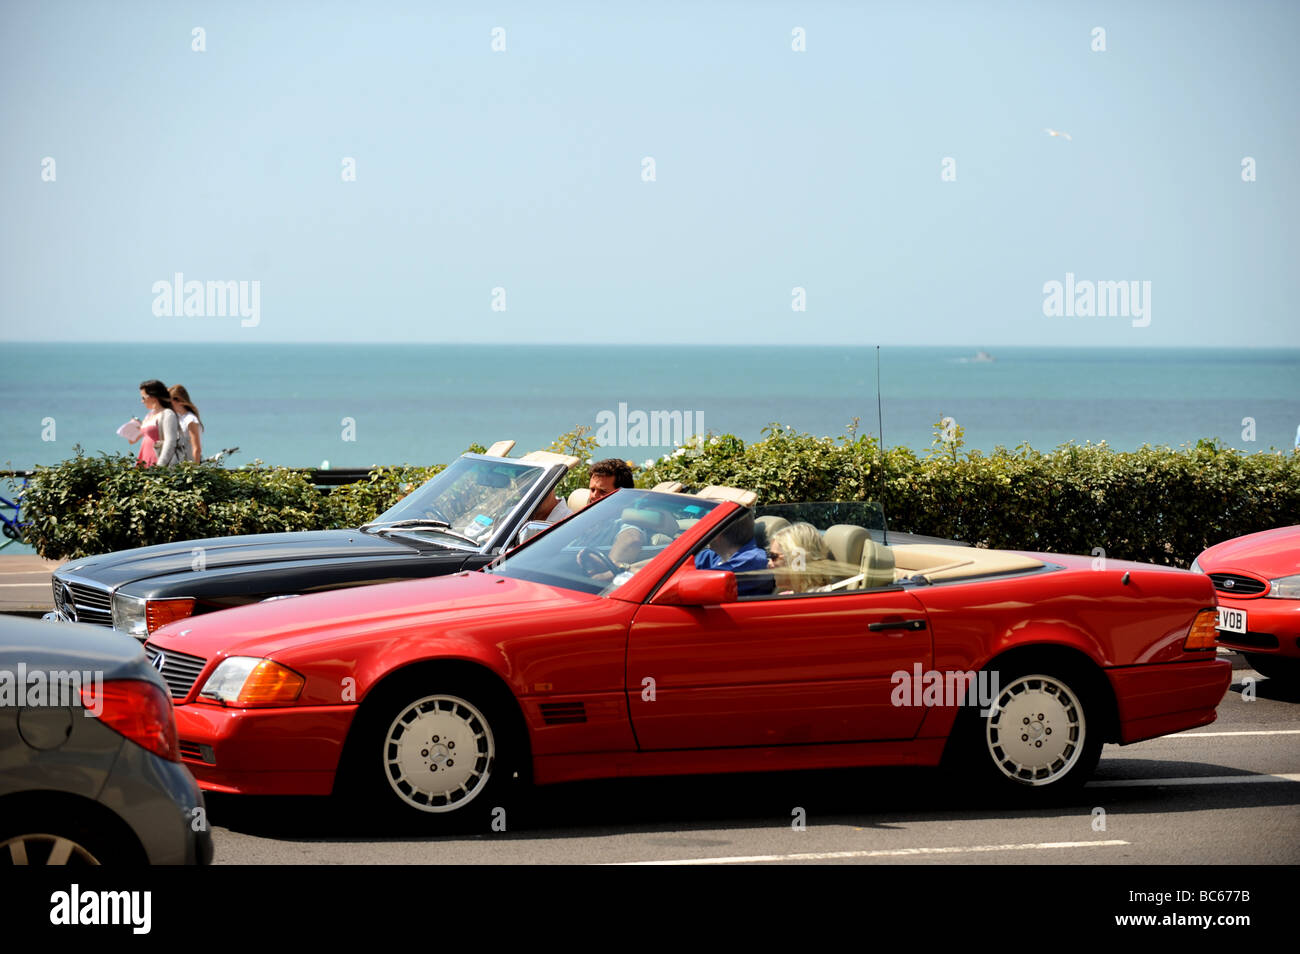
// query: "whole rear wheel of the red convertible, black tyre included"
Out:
[1041,740]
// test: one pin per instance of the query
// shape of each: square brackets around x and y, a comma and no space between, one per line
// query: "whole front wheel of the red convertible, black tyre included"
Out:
[432,758]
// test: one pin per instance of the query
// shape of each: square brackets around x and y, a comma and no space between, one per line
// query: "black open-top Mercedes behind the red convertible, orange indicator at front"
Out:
[462,519]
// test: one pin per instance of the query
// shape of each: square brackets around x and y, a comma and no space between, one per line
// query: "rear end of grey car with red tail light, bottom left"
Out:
[90,769]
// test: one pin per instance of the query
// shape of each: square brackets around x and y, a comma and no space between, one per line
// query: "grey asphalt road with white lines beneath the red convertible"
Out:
[1225,793]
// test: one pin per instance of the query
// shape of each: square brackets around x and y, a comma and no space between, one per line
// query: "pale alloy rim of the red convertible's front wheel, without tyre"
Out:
[439,753]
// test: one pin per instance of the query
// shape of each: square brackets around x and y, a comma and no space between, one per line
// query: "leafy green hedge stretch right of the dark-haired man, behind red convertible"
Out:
[1154,505]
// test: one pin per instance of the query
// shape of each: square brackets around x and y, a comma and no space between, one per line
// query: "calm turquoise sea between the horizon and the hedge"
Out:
[348,406]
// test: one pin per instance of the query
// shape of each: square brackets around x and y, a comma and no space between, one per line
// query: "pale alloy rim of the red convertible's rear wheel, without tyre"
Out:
[1037,731]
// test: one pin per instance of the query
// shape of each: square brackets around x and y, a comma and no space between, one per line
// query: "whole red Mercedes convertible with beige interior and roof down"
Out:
[661,634]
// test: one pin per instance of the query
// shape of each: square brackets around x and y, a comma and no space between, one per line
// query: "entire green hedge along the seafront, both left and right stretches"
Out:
[1155,505]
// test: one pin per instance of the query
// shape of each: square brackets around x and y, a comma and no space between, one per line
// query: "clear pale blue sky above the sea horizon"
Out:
[522,170]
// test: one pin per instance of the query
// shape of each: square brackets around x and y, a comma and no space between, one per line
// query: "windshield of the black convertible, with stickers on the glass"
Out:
[465,505]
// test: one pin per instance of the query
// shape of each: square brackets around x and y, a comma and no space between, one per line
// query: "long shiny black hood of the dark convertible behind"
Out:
[218,553]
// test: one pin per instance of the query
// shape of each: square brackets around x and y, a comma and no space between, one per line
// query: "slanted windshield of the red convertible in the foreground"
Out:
[604,547]
